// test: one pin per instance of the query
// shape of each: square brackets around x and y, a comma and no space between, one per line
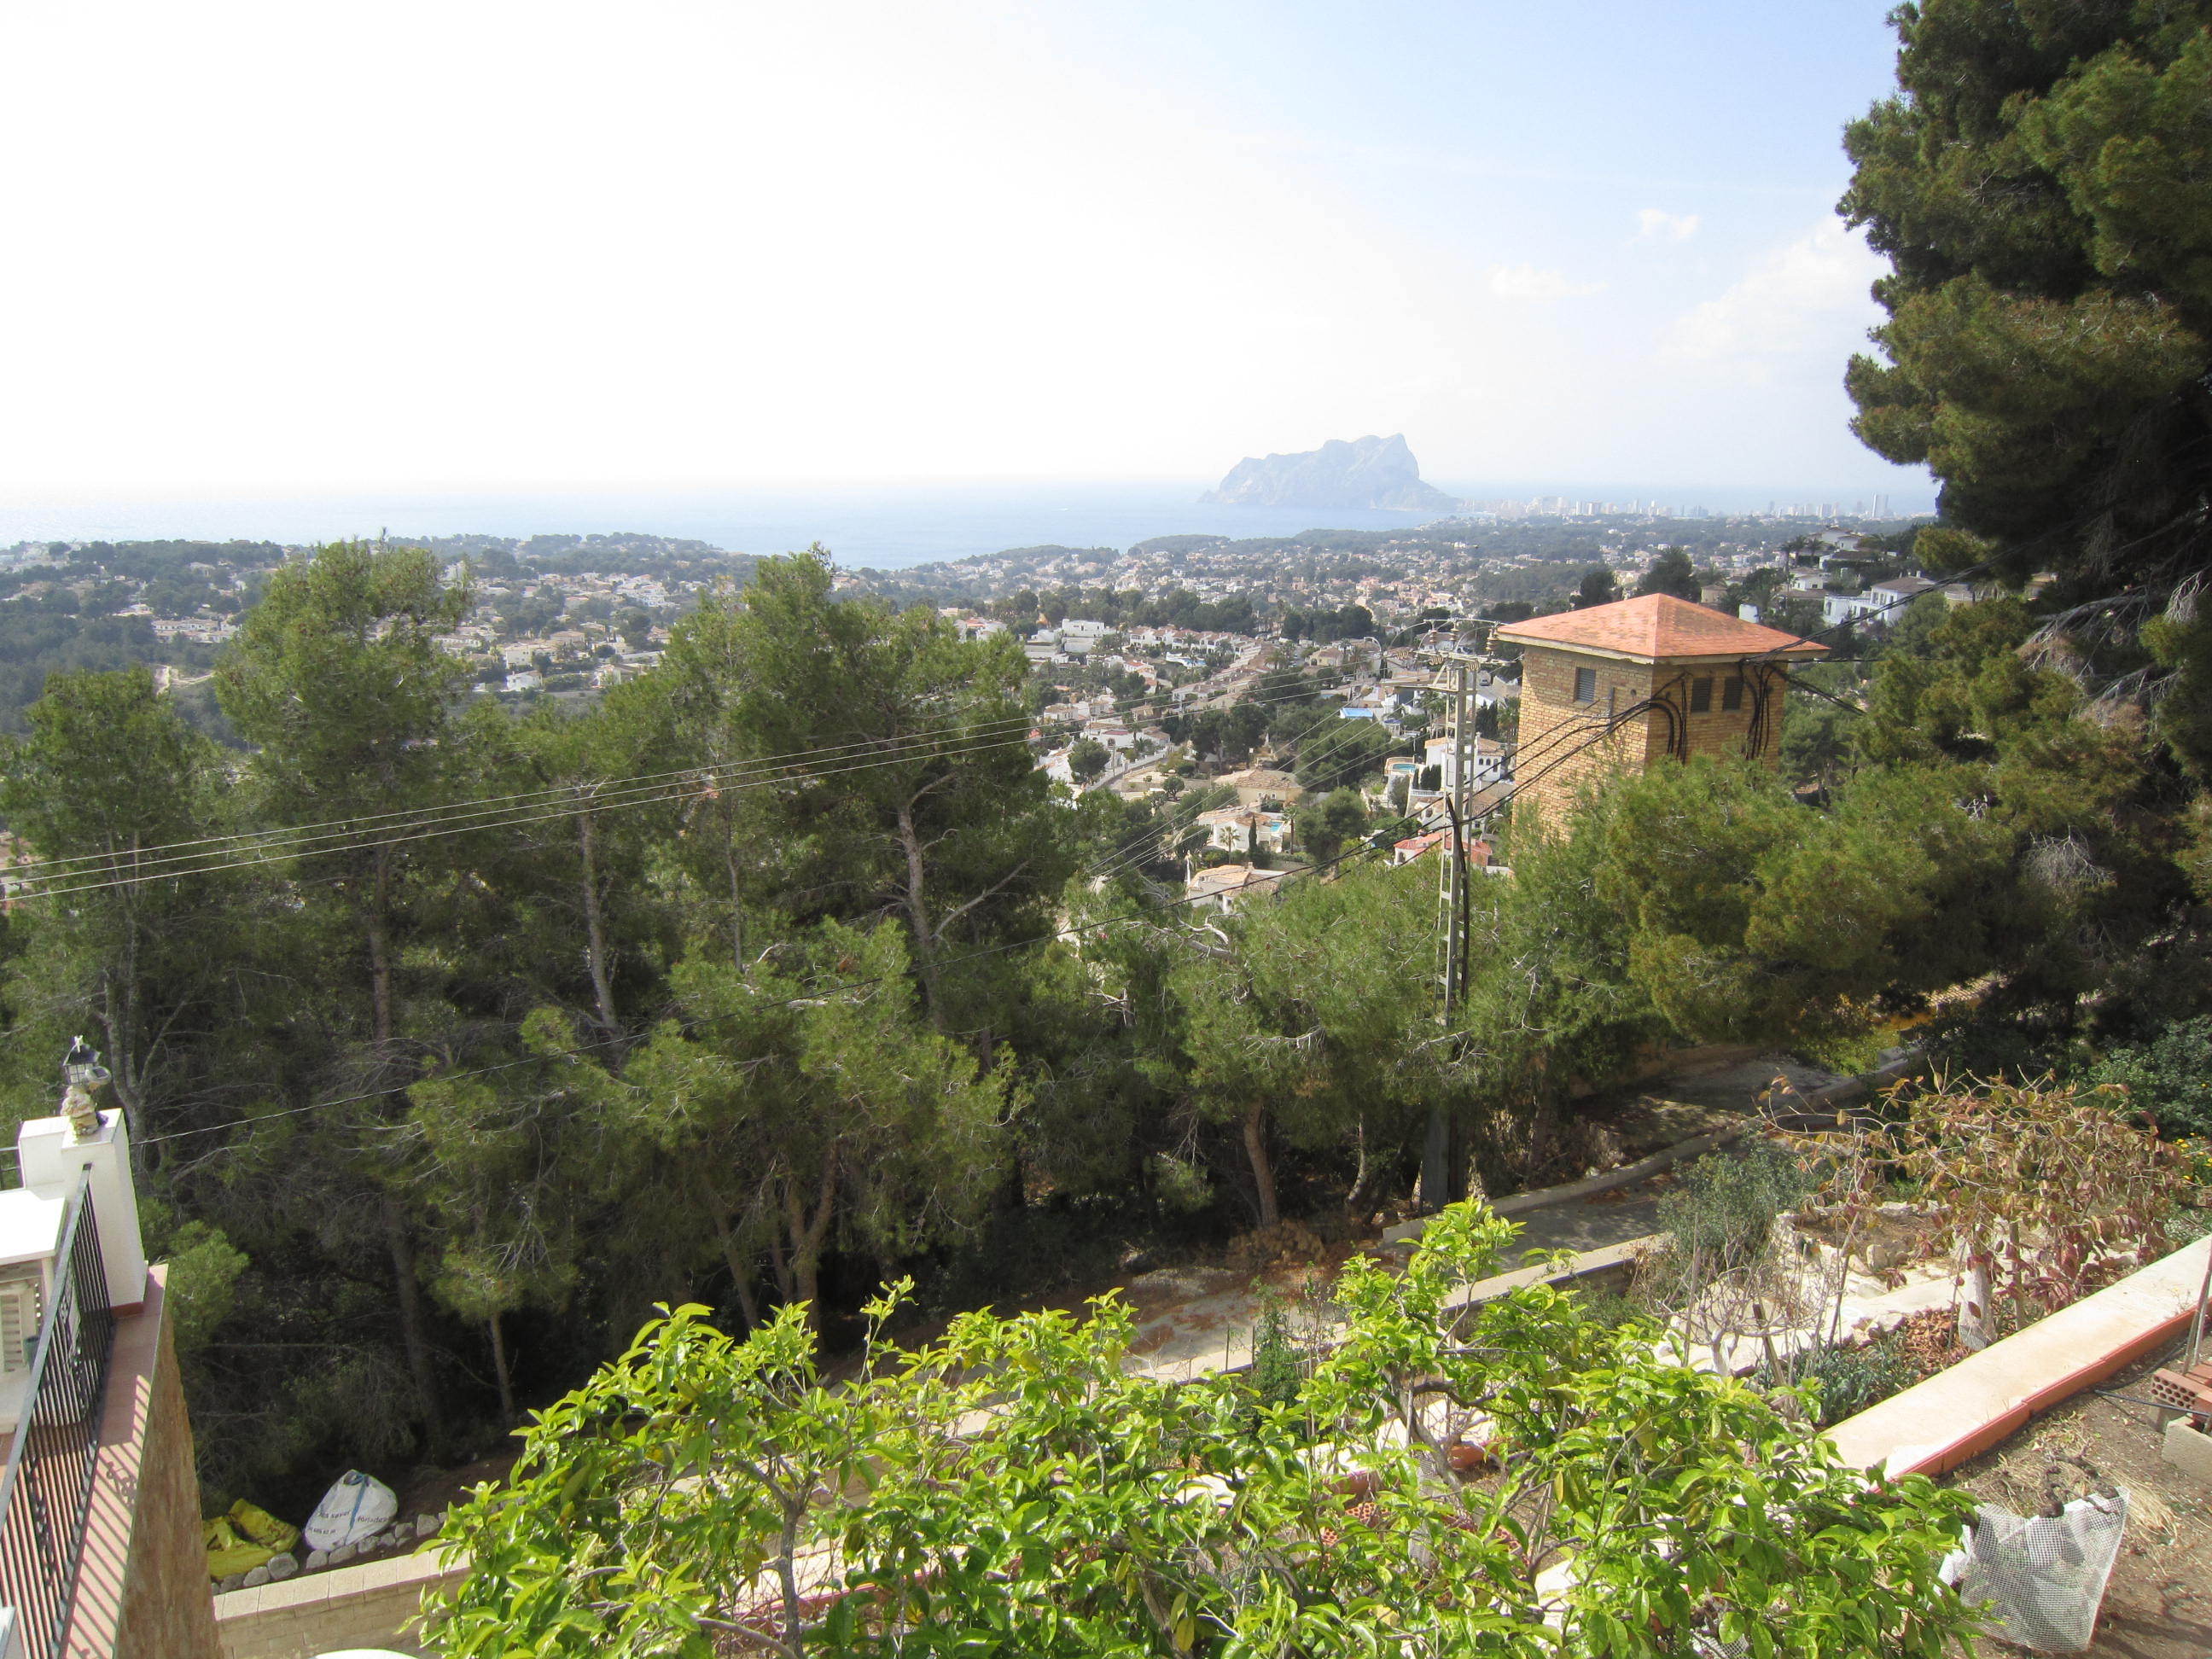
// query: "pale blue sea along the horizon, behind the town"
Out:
[881,528]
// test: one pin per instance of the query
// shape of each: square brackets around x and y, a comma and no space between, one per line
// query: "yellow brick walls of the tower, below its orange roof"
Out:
[1556,758]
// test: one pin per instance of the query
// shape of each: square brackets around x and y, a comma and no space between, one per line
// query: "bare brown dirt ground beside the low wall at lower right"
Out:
[2160,1600]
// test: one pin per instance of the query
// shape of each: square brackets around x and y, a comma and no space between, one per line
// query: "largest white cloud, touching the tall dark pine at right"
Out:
[1802,306]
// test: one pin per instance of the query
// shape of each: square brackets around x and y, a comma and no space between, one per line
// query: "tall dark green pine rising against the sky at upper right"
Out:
[2043,185]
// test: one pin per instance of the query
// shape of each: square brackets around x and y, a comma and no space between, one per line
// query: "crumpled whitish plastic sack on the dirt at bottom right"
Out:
[2045,1576]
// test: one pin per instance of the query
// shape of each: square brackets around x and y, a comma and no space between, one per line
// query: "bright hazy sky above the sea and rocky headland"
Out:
[293,249]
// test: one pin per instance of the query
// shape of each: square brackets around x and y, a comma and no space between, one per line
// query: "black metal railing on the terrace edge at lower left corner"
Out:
[48,1483]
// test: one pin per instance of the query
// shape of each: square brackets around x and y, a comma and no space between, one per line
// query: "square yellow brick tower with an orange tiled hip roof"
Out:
[1647,678]
